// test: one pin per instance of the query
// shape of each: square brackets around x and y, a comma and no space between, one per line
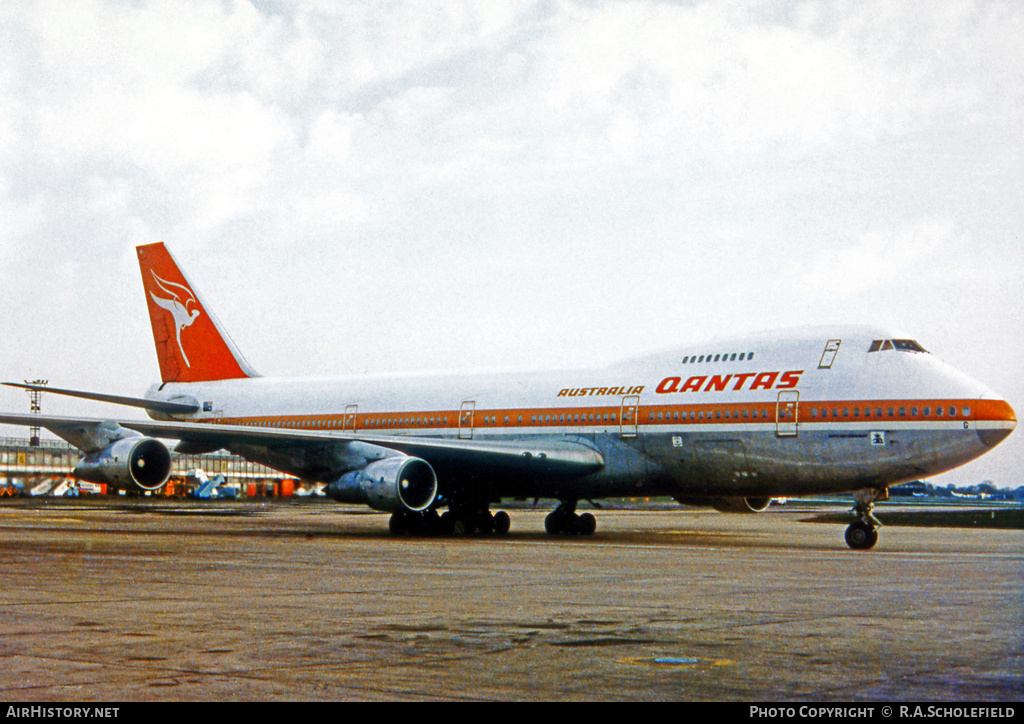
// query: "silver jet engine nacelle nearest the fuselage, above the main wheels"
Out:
[400,483]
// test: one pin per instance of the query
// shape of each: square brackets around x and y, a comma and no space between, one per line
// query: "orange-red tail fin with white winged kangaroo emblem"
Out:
[191,345]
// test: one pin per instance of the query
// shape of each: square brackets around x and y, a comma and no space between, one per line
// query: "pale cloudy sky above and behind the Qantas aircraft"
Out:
[368,187]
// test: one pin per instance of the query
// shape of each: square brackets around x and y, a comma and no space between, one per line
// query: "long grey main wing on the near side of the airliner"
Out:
[552,456]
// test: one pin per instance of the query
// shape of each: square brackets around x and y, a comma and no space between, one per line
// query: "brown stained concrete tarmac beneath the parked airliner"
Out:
[147,601]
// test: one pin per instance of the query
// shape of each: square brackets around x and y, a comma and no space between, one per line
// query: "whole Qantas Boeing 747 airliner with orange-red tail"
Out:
[732,424]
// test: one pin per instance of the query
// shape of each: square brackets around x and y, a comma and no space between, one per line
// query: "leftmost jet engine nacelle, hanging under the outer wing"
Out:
[141,464]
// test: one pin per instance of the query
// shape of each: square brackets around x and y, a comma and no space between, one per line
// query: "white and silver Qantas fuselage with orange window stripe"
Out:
[797,413]
